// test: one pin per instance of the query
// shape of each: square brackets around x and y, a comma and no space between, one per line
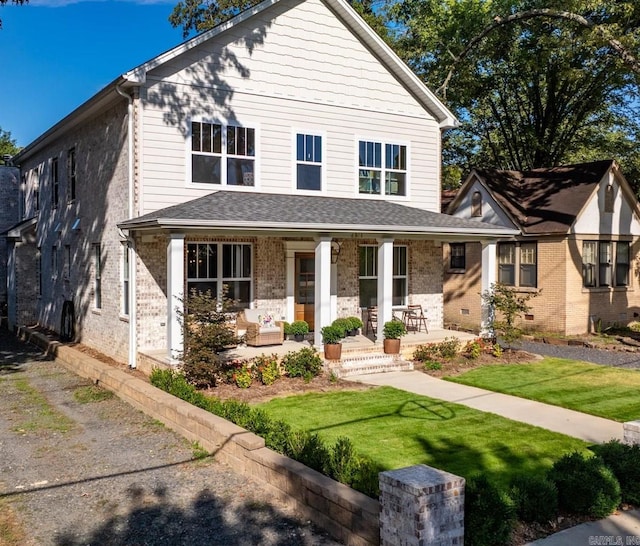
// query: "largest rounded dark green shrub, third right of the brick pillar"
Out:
[585,485]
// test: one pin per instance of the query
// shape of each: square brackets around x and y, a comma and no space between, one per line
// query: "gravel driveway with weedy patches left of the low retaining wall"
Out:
[103,473]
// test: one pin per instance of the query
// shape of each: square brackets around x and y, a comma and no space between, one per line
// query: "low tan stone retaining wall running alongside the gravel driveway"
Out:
[349,516]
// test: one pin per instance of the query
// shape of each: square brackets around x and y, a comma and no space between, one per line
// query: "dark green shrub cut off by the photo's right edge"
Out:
[624,462]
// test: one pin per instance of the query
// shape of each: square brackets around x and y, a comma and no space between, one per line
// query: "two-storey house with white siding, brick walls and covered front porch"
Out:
[287,154]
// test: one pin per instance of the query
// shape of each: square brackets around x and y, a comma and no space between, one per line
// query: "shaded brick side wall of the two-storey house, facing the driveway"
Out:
[101,202]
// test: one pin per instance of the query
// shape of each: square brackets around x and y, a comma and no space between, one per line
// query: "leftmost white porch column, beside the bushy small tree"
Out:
[175,293]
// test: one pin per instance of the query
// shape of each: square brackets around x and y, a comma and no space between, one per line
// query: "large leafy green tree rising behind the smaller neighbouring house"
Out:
[535,83]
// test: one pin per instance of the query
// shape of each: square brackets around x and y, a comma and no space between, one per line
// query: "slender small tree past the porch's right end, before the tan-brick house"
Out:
[508,306]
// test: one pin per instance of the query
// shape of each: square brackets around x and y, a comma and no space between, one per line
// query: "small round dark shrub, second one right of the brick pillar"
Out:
[535,498]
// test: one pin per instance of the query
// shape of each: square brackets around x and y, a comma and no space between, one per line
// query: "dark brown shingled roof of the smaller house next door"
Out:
[545,200]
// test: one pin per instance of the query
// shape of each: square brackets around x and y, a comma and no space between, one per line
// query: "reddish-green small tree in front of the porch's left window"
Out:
[207,333]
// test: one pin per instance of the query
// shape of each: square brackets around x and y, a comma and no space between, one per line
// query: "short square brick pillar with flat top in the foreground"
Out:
[421,506]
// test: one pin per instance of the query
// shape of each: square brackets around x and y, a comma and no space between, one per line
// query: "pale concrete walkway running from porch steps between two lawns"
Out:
[571,423]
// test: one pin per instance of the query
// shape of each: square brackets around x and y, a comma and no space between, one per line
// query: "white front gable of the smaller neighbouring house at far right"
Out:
[593,220]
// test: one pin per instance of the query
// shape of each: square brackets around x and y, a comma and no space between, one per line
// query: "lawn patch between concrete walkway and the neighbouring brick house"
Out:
[607,392]
